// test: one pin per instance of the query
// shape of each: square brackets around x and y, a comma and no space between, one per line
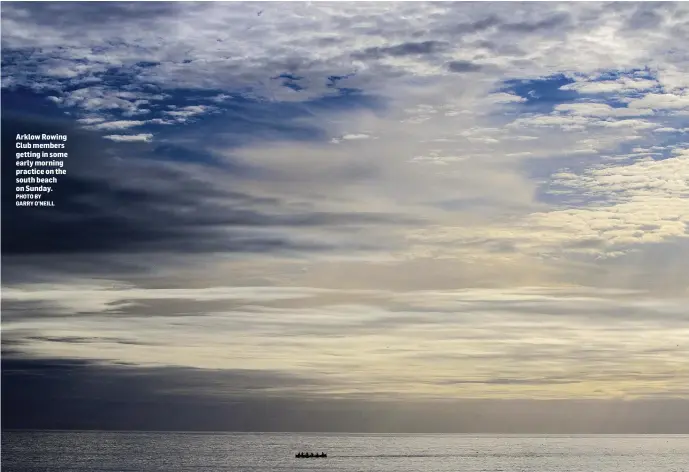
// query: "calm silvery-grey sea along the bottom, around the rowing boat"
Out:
[257,452]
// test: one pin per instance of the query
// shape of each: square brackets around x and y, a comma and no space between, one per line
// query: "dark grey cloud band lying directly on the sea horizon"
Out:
[78,394]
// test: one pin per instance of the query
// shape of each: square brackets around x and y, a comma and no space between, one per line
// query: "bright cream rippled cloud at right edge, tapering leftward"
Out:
[641,202]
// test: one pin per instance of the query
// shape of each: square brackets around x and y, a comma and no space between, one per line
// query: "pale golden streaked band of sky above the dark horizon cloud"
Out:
[482,343]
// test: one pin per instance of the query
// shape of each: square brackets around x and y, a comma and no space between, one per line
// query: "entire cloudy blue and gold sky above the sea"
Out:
[349,216]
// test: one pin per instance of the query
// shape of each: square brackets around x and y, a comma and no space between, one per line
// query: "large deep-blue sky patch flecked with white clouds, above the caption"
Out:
[218,118]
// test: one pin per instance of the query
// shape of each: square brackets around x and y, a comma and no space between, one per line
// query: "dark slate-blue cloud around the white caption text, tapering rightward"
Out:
[143,204]
